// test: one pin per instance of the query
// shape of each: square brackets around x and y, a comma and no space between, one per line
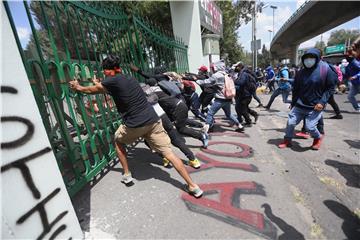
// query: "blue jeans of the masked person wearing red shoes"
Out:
[311,117]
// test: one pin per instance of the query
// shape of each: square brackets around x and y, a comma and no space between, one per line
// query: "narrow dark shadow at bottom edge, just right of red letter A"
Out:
[289,232]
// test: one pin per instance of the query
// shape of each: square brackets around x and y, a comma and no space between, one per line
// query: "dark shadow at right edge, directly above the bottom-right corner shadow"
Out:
[351,172]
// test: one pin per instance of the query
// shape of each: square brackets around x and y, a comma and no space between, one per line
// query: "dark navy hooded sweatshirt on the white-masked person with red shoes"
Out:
[309,88]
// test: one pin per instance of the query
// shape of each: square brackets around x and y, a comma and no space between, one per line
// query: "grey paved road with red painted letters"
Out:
[260,193]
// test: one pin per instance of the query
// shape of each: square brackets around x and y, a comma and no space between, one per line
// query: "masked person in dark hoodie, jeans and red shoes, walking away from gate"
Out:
[313,86]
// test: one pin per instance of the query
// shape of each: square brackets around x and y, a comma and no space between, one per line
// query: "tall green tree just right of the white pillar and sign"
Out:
[234,14]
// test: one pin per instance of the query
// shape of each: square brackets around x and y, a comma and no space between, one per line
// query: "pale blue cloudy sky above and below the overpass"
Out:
[264,22]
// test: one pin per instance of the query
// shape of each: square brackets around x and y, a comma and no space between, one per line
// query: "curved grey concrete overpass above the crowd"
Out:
[310,20]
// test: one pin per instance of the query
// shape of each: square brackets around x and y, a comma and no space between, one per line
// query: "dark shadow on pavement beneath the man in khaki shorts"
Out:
[141,162]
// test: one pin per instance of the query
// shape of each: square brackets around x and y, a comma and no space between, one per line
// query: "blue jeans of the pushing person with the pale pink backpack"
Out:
[216,106]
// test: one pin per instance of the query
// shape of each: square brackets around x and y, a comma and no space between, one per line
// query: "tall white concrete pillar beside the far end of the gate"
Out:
[185,18]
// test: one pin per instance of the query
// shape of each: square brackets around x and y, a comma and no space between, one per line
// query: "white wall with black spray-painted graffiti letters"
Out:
[34,201]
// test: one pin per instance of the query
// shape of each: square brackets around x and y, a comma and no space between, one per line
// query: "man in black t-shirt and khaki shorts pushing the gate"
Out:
[139,119]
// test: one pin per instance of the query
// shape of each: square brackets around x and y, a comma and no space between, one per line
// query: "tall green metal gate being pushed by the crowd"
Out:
[68,40]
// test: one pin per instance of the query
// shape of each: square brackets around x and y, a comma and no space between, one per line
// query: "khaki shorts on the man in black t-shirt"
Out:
[154,134]
